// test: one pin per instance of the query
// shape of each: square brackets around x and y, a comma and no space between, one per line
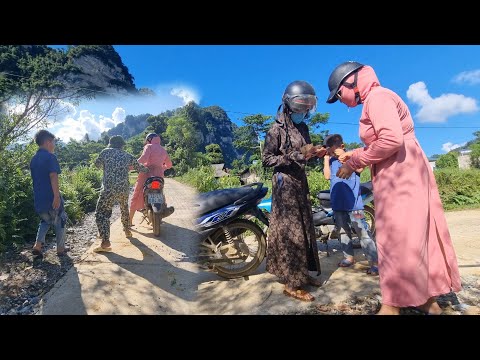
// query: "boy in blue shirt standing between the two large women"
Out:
[347,206]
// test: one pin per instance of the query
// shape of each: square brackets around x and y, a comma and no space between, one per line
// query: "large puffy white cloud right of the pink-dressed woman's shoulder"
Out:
[441,108]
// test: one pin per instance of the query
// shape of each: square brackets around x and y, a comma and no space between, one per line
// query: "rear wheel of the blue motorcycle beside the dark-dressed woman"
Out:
[245,233]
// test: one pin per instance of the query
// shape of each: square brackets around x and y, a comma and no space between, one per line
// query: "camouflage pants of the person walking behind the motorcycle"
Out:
[104,211]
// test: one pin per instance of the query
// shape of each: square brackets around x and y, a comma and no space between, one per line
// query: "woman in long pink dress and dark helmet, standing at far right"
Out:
[416,258]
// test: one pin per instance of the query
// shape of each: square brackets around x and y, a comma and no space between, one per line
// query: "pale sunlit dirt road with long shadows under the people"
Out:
[148,275]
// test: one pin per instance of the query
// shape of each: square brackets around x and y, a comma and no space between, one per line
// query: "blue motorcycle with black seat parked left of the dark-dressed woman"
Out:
[232,244]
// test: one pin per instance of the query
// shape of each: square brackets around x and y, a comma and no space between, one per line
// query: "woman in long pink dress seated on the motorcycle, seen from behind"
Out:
[154,157]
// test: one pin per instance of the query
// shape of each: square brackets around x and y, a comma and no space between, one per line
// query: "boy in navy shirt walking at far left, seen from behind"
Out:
[48,202]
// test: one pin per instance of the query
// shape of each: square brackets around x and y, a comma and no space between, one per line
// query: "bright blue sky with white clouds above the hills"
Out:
[439,83]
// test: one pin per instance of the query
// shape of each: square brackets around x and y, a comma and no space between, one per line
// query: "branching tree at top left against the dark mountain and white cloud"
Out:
[32,89]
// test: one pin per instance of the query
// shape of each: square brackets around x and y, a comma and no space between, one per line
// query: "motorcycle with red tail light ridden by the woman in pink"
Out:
[155,205]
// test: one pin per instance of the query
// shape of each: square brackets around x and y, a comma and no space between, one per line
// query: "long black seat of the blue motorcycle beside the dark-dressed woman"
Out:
[216,199]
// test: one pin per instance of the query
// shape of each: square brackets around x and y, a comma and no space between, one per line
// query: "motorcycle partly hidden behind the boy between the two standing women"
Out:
[324,221]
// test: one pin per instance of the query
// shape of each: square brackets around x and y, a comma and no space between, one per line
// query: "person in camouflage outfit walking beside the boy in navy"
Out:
[116,165]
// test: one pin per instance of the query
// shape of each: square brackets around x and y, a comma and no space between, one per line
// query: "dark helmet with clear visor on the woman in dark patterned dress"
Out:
[300,97]
